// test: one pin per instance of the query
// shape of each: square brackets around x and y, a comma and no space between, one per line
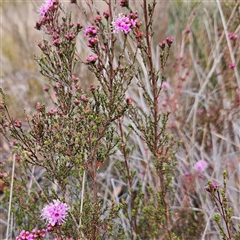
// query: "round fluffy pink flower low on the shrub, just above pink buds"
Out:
[55,213]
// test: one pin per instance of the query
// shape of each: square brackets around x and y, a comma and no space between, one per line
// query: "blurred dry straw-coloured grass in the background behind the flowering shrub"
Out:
[203,97]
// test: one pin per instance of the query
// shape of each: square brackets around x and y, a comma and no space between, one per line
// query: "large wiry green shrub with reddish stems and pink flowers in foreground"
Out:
[93,179]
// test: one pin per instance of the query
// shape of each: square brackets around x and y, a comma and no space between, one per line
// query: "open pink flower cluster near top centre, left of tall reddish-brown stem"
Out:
[124,23]
